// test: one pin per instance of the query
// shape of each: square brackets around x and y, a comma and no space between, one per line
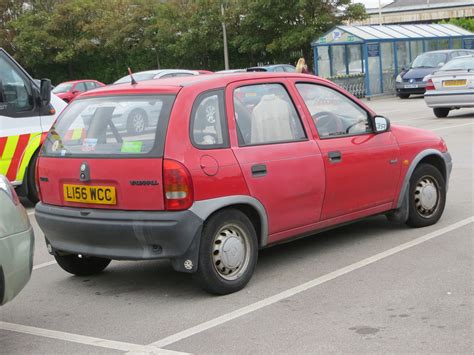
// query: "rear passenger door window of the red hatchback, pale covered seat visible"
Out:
[264,114]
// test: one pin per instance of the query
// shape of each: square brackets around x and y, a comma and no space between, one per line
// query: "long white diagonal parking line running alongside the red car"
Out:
[304,287]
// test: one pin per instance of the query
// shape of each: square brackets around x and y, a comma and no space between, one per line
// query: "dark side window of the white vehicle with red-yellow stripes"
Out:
[15,92]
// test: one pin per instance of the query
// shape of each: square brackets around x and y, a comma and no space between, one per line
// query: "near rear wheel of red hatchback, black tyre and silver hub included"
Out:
[228,253]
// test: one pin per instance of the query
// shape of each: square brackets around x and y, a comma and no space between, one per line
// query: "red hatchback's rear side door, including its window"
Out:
[282,167]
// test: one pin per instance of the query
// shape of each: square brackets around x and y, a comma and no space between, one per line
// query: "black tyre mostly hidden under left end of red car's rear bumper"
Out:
[82,266]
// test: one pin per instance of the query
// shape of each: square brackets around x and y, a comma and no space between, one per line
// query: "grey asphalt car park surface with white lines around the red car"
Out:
[366,287]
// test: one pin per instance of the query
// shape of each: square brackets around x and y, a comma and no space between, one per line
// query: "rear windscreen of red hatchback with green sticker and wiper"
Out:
[133,126]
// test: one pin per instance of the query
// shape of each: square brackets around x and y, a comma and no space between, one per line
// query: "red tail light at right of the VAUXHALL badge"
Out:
[177,186]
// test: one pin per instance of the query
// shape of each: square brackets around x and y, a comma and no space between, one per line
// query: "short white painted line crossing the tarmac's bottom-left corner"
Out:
[86,340]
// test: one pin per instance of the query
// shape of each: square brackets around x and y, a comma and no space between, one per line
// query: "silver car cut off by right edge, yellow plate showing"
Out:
[451,87]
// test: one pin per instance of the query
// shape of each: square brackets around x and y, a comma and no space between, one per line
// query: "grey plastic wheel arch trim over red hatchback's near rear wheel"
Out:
[250,206]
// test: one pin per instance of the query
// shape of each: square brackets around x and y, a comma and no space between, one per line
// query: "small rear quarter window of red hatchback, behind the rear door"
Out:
[208,121]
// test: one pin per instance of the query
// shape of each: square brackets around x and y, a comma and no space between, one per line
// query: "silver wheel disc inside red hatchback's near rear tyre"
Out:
[230,254]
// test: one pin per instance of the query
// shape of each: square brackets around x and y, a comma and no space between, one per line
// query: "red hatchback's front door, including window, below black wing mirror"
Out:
[362,168]
